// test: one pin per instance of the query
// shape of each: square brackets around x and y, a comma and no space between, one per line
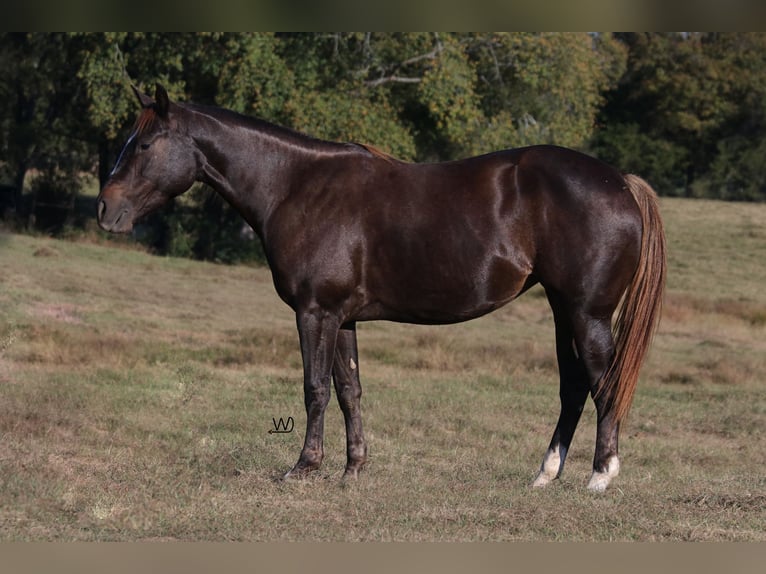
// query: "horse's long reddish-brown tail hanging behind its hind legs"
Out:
[639,313]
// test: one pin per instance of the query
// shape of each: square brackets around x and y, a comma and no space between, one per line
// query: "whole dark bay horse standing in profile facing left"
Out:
[352,234]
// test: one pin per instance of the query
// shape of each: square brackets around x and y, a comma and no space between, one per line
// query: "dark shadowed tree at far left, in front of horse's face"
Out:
[41,125]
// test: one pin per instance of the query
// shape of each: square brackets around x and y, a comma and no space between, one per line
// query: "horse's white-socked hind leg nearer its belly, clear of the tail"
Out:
[573,392]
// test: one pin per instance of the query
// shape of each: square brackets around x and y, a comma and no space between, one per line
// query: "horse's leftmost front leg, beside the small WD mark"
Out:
[318,333]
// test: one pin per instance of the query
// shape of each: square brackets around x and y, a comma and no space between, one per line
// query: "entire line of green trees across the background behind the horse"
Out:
[687,111]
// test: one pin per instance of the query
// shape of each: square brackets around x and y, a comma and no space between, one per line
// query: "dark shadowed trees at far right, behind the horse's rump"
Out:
[687,114]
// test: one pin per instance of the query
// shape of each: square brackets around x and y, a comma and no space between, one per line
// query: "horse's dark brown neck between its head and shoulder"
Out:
[251,163]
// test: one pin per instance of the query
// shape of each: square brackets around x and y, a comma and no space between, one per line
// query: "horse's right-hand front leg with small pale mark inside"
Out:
[349,391]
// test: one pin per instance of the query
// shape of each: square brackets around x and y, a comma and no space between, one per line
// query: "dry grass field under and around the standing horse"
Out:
[137,392]
